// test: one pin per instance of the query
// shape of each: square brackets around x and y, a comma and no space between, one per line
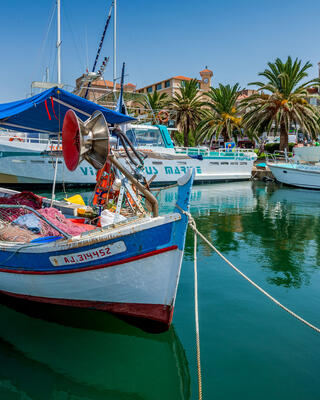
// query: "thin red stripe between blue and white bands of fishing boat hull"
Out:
[111,264]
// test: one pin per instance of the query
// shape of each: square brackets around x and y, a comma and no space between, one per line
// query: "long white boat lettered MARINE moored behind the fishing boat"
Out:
[25,160]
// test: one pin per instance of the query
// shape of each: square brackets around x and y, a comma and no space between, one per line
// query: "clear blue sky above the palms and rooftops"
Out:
[156,39]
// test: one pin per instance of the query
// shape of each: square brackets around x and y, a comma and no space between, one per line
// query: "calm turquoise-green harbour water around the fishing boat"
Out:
[250,348]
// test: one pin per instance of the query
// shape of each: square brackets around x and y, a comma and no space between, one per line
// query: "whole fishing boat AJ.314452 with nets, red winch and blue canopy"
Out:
[129,265]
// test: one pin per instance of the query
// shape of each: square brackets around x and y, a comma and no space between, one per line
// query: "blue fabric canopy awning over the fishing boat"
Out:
[45,112]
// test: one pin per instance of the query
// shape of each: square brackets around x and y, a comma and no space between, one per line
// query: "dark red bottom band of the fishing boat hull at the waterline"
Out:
[154,312]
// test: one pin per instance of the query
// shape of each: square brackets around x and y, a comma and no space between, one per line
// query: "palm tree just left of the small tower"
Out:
[187,106]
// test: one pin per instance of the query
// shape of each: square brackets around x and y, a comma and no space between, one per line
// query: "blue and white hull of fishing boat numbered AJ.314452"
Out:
[132,269]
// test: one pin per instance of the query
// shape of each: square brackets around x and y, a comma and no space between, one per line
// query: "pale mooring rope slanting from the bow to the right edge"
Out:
[194,227]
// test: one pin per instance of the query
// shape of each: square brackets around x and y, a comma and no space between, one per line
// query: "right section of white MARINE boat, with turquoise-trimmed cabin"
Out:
[165,163]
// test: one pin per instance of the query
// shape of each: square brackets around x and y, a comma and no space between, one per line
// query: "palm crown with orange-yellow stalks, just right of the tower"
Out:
[221,116]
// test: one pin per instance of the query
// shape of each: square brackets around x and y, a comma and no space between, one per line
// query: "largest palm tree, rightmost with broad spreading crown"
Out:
[286,103]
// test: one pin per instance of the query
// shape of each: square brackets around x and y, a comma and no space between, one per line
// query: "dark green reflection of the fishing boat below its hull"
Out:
[88,354]
